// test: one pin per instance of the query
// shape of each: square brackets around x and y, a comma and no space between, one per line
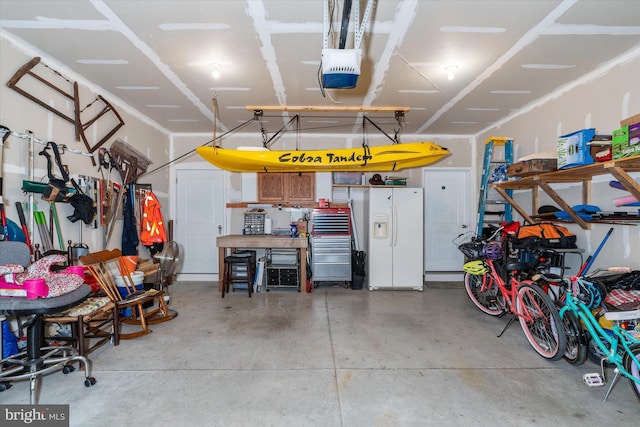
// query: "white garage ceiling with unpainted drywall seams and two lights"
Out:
[155,56]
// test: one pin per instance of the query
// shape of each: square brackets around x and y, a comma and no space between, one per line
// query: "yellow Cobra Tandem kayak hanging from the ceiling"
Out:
[379,159]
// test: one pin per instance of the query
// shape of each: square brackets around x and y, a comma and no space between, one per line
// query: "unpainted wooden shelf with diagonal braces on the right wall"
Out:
[619,169]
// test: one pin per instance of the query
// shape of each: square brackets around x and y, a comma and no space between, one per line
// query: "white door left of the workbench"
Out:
[199,220]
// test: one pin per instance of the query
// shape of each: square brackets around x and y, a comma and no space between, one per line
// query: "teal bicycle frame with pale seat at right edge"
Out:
[619,347]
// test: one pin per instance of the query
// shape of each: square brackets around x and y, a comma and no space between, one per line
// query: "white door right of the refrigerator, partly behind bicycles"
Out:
[447,216]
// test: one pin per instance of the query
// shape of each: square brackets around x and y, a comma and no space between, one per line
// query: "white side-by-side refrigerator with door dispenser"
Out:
[396,238]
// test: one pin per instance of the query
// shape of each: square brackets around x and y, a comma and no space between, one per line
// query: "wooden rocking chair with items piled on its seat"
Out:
[106,266]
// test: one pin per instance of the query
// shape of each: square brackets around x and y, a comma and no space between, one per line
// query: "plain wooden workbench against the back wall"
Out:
[227,244]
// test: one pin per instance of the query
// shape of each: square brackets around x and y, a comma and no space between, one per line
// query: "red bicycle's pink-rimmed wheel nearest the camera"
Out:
[540,321]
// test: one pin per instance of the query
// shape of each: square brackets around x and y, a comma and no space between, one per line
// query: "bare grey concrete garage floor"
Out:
[338,357]
